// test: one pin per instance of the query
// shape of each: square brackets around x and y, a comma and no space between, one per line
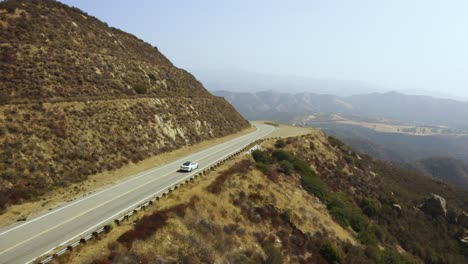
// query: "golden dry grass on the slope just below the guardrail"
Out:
[218,227]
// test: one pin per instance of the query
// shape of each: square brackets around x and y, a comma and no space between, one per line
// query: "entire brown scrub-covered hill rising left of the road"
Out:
[78,97]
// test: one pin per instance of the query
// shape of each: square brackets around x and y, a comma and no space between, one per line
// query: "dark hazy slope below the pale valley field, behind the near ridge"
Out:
[440,157]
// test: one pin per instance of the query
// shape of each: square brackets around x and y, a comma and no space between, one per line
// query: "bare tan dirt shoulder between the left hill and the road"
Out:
[101,181]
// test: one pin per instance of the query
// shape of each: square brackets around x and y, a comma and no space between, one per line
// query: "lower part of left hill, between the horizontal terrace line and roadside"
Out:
[50,145]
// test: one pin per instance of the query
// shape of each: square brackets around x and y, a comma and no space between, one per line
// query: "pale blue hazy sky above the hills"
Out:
[400,44]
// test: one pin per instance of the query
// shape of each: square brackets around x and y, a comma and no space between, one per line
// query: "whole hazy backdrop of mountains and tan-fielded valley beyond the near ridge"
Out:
[367,123]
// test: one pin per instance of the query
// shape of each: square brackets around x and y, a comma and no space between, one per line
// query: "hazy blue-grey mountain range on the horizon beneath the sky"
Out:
[412,109]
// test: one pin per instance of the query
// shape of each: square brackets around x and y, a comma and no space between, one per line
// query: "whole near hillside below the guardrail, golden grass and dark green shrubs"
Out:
[307,199]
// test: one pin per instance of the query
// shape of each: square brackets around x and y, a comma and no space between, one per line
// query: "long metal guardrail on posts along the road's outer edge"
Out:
[155,198]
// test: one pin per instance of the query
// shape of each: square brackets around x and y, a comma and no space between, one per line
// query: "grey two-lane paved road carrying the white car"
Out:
[23,242]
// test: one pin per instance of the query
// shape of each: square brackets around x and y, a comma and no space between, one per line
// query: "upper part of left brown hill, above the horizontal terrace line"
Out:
[50,51]
